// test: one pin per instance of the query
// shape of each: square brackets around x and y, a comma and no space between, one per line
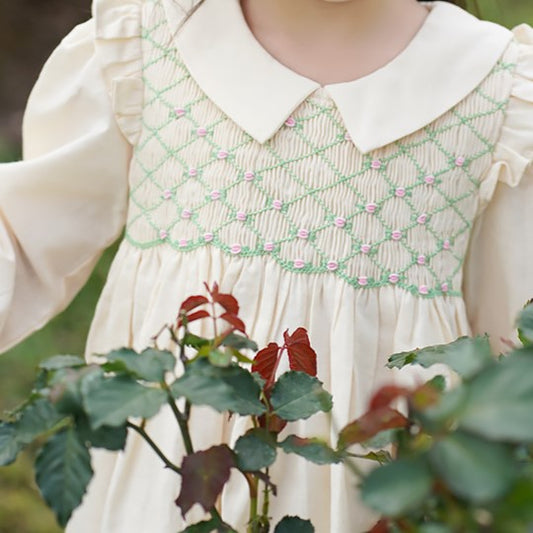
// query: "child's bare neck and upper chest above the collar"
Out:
[333,42]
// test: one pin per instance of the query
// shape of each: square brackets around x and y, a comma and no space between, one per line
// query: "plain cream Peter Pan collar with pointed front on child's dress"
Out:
[449,56]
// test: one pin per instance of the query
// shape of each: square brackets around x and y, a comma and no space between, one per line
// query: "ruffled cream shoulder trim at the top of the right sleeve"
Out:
[513,154]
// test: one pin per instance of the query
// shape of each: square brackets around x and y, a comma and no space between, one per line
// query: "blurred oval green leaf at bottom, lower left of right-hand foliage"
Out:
[398,487]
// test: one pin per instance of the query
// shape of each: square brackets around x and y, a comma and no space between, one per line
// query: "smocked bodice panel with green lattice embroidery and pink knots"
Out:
[400,216]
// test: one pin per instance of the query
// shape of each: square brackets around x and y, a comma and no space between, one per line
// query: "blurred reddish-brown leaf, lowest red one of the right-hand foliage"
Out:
[370,424]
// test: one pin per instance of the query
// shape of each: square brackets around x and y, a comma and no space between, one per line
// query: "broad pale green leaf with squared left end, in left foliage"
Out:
[110,401]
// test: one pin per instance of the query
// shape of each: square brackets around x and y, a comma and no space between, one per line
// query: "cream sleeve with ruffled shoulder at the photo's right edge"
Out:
[499,267]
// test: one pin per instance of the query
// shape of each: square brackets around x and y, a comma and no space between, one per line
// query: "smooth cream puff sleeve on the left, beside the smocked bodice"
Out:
[66,201]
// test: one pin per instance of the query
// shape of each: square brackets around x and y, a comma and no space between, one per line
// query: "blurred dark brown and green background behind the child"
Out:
[21,510]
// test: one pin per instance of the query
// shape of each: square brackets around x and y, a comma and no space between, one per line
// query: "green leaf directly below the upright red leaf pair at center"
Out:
[296,396]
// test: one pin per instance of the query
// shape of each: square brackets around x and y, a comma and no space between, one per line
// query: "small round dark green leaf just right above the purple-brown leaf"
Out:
[255,450]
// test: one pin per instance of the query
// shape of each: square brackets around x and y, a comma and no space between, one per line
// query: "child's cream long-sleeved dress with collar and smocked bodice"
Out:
[383,214]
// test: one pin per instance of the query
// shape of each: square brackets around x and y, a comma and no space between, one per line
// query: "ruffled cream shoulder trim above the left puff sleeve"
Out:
[119,49]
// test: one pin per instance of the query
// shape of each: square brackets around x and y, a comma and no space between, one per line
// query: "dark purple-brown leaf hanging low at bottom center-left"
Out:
[204,475]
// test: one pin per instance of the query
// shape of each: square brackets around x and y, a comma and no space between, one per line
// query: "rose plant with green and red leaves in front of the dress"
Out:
[448,460]
